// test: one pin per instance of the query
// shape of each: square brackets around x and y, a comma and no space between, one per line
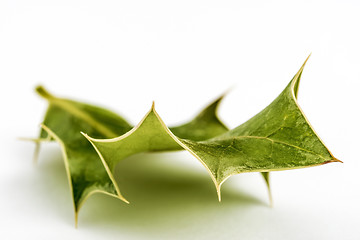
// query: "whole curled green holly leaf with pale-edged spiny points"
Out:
[94,140]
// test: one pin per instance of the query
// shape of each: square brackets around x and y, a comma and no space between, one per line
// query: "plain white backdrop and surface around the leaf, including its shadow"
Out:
[182,54]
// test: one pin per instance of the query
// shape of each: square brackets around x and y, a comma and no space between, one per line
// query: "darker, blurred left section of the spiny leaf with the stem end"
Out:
[63,122]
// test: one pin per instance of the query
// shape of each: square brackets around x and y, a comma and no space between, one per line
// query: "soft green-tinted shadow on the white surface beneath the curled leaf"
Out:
[163,195]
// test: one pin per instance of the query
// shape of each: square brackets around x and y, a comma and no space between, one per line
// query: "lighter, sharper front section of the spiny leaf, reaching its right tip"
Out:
[277,138]
